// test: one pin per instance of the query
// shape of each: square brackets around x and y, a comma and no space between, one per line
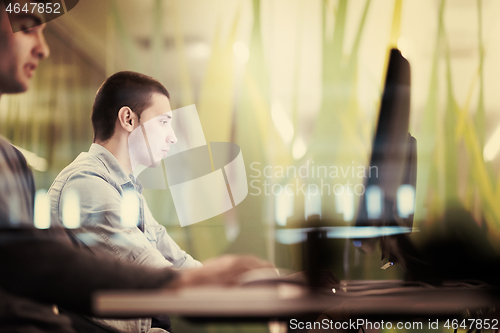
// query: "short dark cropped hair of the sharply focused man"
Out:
[122,89]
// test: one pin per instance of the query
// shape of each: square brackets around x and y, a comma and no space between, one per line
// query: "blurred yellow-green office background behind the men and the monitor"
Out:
[295,84]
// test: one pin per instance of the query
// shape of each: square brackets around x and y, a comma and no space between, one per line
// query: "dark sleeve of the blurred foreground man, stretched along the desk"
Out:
[58,273]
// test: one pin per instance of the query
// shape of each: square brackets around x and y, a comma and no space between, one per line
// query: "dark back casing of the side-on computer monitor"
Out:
[393,158]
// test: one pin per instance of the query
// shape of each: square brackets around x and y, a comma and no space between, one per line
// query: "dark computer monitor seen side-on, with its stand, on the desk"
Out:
[389,199]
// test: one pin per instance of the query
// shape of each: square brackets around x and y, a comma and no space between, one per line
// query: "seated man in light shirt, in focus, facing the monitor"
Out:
[102,177]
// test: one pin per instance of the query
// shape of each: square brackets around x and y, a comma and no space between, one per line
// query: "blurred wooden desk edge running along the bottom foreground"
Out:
[288,301]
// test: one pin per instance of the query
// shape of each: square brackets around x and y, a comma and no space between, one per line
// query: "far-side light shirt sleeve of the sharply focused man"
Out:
[166,245]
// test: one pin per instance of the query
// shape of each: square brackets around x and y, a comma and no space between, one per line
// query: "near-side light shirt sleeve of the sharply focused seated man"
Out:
[101,227]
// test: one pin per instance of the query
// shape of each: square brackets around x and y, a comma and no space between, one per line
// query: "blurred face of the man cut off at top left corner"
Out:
[20,52]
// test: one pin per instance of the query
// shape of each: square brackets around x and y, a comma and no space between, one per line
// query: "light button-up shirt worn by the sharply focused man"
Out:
[100,182]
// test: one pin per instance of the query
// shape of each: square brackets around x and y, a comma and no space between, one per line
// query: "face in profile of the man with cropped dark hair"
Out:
[156,123]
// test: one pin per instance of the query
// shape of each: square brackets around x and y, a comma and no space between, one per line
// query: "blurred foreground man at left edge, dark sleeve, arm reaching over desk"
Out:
[39,268]
